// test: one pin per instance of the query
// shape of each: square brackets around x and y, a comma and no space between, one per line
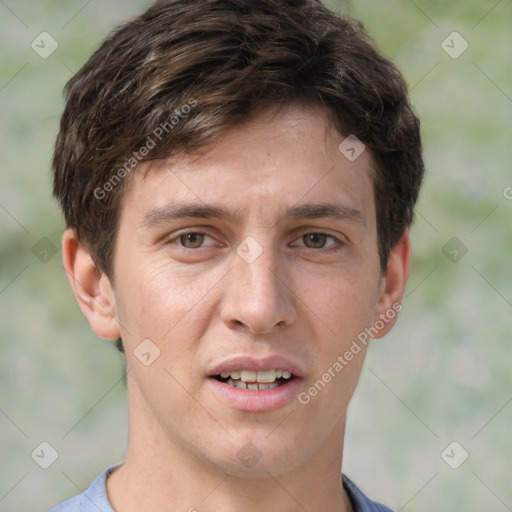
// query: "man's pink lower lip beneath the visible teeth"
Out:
[256,401]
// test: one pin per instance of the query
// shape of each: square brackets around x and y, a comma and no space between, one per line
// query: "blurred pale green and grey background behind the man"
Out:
[442,375]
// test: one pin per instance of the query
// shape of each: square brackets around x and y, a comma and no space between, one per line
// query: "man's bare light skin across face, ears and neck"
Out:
[305,299]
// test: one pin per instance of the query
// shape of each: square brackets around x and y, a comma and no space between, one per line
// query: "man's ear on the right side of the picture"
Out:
[393,284]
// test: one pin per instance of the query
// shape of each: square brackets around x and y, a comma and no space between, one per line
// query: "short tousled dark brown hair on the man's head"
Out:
[194,68]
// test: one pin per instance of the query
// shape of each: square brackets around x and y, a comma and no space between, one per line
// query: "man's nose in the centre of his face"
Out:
[258,295]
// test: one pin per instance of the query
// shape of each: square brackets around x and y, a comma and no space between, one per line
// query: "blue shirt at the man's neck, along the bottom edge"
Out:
[95,499]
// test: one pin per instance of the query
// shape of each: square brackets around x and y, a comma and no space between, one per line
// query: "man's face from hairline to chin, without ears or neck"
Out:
[259,255]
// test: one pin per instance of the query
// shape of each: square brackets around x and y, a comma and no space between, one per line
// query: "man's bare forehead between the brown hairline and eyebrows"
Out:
[275,160]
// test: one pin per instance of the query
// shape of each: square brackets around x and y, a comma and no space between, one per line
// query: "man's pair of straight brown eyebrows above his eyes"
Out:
[172,211]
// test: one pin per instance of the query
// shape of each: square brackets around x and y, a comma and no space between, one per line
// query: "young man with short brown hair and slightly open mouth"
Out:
[237,180]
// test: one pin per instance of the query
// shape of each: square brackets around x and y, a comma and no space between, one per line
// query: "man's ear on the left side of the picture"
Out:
[91,287]
